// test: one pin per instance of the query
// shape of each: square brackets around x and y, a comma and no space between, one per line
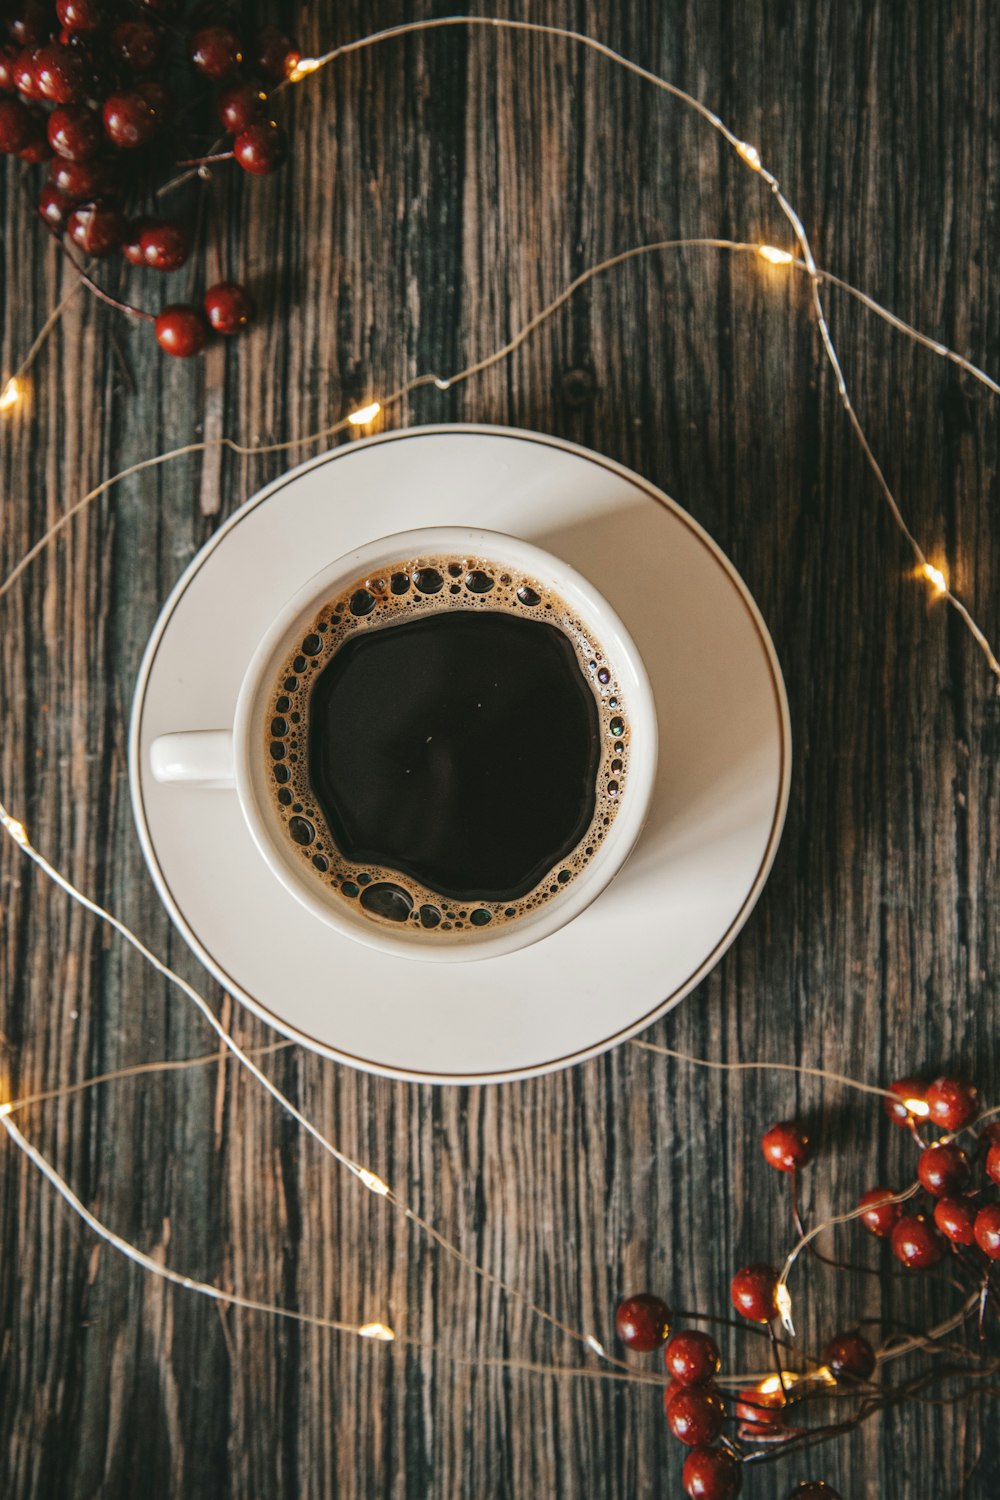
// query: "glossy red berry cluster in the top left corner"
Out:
[116,95]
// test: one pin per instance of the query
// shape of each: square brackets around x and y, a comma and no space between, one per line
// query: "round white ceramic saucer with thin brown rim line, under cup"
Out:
[717,808]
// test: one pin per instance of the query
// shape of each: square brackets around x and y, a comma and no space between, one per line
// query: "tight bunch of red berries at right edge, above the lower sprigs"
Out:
[957,1211]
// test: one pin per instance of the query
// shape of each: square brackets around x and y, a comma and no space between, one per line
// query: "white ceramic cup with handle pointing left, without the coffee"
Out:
[232,761]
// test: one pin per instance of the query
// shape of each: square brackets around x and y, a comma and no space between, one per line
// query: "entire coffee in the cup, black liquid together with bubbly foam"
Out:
[448,746]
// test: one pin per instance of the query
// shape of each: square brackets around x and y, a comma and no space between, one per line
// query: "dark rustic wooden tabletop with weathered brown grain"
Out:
[440,191]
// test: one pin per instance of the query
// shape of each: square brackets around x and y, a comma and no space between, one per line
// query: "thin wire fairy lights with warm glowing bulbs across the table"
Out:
[13,395]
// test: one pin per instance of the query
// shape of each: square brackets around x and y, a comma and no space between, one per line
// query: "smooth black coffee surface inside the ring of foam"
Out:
[481,755]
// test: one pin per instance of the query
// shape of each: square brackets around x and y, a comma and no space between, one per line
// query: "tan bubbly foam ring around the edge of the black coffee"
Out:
[410,590]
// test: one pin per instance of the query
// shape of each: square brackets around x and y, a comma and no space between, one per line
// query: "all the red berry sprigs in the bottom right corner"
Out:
[957,1211]
